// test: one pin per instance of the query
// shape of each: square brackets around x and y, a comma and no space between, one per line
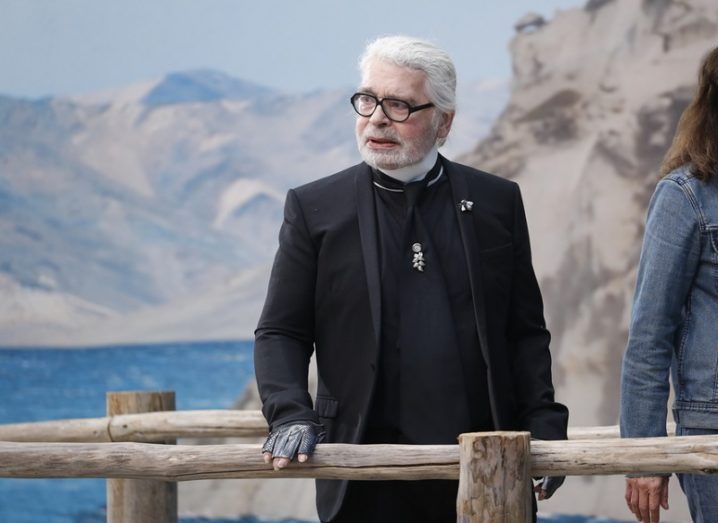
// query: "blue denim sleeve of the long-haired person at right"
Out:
[669,261]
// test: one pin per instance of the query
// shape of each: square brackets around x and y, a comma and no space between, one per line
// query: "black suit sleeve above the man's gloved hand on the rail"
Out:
[284,339]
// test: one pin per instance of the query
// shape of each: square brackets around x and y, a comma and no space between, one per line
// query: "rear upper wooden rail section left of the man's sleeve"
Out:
[150,426]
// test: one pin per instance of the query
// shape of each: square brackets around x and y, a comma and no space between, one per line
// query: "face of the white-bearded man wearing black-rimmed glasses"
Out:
[386,144]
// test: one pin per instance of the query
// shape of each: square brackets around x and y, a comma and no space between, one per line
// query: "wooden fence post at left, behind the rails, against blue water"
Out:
[134,500]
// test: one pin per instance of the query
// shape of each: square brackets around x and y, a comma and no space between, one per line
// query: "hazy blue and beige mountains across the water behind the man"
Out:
[150,213]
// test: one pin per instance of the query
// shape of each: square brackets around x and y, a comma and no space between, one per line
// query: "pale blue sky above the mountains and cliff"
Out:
[71,47]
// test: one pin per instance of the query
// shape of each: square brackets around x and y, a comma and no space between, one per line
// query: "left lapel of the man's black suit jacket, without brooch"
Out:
[366,216]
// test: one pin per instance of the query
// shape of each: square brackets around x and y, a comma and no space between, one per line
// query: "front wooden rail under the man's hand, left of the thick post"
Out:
[190,462]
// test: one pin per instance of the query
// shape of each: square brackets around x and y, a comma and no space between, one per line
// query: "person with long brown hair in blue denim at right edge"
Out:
[674,324]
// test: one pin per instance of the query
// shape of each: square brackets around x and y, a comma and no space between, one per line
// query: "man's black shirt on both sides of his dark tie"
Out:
[439,219]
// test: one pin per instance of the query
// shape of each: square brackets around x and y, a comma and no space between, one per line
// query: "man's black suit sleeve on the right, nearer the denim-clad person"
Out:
[538,412]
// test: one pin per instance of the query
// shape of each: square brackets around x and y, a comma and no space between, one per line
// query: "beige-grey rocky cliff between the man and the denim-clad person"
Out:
[596,96]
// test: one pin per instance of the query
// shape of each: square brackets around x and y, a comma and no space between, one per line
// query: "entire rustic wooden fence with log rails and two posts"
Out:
[493,469]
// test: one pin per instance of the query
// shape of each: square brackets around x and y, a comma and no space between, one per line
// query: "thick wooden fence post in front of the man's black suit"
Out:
[494,482]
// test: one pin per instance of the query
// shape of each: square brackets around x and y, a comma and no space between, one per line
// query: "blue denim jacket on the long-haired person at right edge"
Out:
[674,323]
